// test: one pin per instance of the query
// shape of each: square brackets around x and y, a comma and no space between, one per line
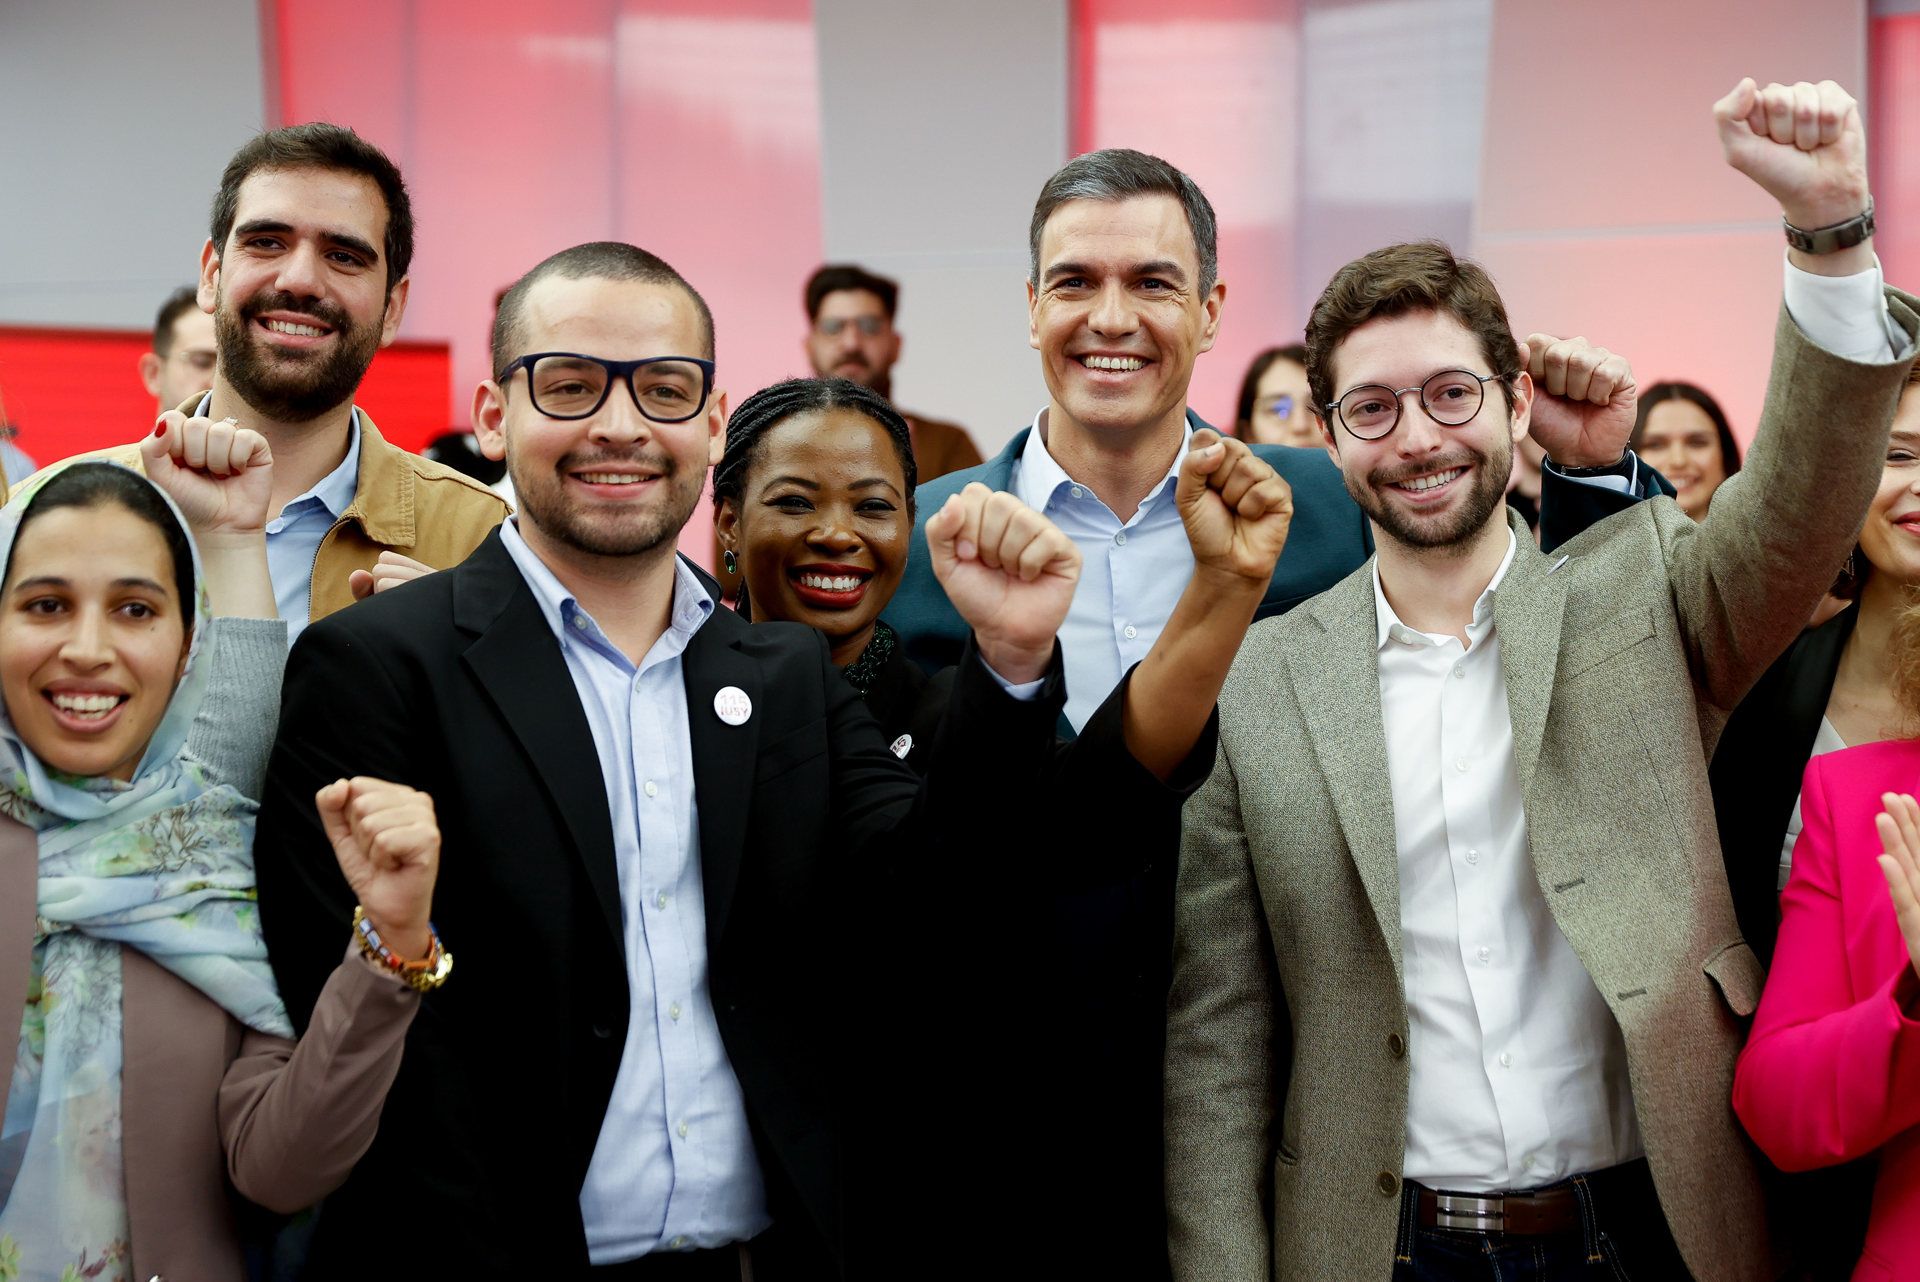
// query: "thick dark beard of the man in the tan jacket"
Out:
[289,387]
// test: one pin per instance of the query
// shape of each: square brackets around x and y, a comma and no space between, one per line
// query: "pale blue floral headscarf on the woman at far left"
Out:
[164,865]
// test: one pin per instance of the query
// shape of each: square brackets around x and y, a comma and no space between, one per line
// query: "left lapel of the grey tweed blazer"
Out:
[1337,680]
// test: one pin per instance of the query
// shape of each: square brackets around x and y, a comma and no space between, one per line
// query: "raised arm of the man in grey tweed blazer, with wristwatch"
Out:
[1748,579]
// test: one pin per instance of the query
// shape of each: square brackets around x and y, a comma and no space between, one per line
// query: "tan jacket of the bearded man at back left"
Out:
[402,504]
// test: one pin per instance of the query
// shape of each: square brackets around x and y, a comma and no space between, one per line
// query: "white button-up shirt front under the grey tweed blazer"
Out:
[1520,1072]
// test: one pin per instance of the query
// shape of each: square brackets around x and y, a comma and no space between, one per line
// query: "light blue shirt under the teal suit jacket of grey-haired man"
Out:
[1132,577]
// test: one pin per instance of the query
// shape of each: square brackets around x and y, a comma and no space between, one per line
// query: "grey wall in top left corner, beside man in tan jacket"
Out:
[118,120]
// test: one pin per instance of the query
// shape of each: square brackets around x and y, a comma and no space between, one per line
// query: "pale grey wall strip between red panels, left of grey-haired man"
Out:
[938,128]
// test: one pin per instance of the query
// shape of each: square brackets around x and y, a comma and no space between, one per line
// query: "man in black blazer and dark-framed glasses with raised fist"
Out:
[660,830]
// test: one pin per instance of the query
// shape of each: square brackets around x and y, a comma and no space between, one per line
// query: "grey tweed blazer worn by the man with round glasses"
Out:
[1287,1074]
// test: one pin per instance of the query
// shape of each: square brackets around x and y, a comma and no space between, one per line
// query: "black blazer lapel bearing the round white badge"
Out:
[723,757]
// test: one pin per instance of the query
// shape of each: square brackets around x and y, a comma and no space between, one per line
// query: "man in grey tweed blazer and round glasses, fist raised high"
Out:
[1458,982]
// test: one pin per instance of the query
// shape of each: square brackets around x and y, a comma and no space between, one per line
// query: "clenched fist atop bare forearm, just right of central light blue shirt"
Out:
[1236,508]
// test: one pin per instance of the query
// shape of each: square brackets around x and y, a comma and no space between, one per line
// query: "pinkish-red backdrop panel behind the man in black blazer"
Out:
[690,128]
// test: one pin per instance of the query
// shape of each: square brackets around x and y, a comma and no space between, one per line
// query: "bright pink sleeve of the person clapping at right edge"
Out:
[1829,1074]
